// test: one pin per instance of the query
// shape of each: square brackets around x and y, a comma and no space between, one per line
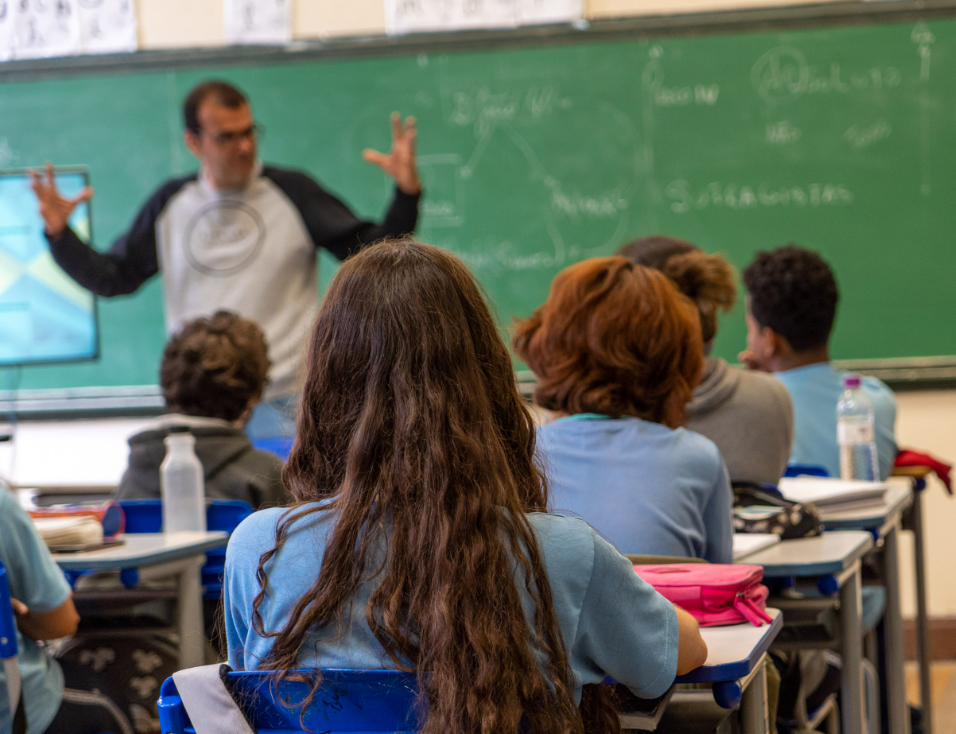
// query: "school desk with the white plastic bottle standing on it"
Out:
[161,556]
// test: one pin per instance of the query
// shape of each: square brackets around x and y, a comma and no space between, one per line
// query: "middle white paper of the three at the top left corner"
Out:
[45,28]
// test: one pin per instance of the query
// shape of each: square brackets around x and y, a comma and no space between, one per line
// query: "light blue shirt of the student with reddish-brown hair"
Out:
[646,488]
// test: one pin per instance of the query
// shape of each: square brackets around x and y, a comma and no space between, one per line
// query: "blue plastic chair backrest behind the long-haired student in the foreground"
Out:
[347,701]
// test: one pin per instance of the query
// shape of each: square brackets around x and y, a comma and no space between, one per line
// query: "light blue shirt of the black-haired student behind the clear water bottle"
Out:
[815,390]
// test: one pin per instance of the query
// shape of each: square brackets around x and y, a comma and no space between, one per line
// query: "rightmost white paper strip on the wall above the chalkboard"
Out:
[416,16]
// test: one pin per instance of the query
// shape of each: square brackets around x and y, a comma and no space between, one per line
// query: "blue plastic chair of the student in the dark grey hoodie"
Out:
[146,516]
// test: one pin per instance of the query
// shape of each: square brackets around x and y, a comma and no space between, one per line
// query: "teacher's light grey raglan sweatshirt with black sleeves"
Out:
[251,251]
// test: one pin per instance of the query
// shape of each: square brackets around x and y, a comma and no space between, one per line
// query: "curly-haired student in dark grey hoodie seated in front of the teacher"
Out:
[212,375]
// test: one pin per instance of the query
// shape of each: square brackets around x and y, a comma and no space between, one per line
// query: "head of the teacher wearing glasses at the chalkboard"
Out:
[221,133]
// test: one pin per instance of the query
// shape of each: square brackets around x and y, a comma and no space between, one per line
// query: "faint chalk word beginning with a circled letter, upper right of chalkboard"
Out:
[784,73]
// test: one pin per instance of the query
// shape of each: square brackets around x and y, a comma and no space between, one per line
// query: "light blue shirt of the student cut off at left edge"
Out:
[36,581]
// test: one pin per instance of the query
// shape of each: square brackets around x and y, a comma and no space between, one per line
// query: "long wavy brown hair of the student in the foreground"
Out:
[412,425]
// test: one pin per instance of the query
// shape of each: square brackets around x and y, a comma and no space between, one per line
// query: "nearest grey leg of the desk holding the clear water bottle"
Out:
[893,625]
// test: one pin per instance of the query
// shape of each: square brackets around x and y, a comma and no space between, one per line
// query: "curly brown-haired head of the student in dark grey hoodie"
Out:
[216,367]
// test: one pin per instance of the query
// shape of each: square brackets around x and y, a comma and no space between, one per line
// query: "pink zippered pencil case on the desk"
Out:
[713,593]
